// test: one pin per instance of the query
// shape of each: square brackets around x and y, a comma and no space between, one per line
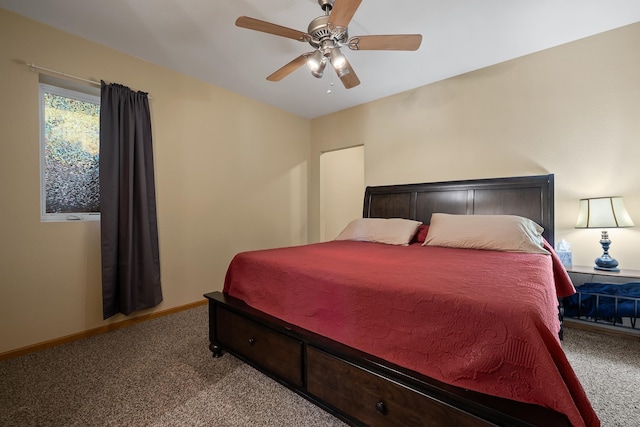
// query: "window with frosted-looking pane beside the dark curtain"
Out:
[69,152]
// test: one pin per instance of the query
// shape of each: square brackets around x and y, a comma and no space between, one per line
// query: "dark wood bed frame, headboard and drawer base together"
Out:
[357,387]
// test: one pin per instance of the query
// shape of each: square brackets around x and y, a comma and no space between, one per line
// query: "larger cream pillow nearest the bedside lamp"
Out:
[492,232]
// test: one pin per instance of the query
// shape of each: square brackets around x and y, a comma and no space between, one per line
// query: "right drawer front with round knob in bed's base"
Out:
[374,400]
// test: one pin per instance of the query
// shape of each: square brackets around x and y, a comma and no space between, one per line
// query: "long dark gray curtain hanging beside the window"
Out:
[129,232]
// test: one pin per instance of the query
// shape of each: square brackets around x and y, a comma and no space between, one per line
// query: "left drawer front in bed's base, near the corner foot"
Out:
[275,352]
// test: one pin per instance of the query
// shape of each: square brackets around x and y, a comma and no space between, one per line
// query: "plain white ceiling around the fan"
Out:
[199,38]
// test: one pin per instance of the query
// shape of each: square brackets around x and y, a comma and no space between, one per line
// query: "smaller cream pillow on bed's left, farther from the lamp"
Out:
[391,231]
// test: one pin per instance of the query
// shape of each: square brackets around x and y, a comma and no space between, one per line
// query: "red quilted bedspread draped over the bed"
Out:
[481,320]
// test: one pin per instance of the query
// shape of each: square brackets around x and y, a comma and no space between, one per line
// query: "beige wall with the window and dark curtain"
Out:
[231,174]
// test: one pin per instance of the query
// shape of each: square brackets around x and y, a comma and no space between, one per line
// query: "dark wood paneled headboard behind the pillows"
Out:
[527,196]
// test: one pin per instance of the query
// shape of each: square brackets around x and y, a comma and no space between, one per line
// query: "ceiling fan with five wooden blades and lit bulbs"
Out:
[327,34]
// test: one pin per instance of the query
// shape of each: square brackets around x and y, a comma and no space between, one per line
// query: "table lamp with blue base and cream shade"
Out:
[604,212]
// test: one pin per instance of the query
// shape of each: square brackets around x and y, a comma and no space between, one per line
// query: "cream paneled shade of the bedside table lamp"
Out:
[603,212]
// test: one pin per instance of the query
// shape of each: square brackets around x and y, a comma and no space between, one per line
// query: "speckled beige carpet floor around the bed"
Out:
[161,373]
